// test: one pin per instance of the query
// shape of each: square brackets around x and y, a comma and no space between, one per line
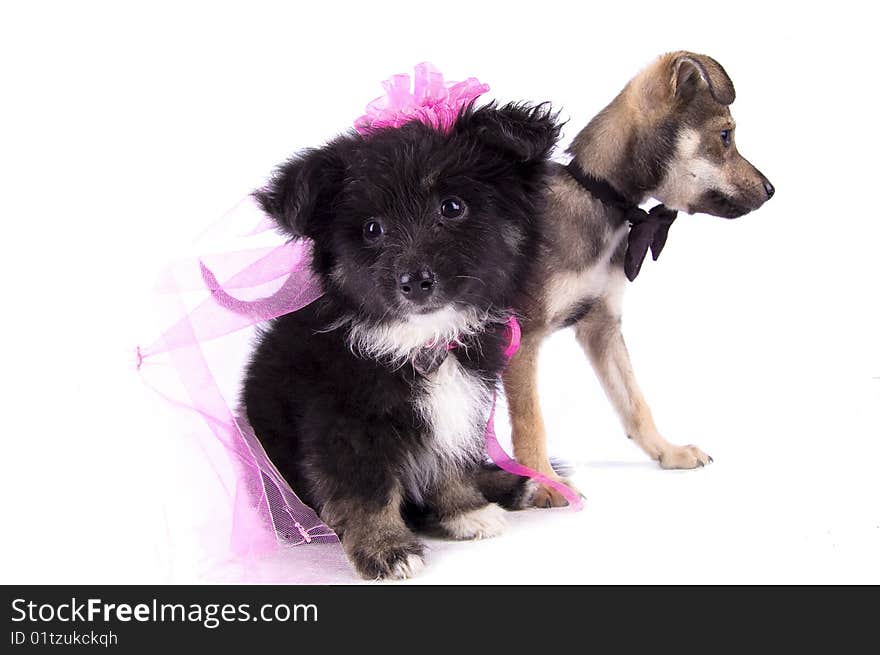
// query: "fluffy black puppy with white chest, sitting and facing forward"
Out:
[373,400]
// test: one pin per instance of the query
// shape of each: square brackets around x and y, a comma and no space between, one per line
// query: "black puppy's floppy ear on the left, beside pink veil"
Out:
[301,190]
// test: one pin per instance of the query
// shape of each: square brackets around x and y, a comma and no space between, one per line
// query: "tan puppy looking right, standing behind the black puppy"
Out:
[668,135]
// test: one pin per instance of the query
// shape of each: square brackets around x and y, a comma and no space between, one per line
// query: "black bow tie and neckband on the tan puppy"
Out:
[648,229]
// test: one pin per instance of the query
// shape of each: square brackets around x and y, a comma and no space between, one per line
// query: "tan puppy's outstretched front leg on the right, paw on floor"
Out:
[599,335]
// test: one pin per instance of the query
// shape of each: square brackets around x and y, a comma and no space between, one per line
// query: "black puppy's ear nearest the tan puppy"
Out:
[526,132]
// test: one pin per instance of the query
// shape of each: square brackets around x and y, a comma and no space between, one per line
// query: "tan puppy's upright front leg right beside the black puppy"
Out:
[529,436]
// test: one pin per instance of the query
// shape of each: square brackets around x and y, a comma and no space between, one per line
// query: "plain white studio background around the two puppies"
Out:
[126,129]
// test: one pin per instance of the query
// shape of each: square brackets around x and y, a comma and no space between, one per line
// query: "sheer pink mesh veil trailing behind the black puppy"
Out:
[259,284]
